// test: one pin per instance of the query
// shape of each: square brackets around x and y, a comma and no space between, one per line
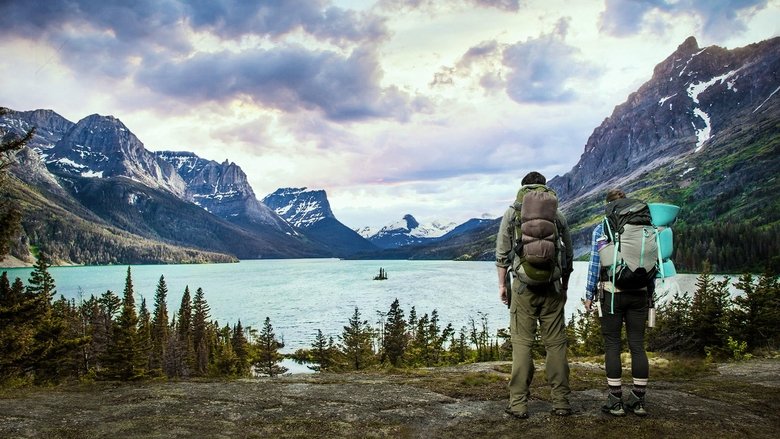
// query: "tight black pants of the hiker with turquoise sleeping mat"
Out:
[630,307]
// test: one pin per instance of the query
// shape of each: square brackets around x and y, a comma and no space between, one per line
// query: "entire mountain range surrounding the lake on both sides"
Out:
[702,133]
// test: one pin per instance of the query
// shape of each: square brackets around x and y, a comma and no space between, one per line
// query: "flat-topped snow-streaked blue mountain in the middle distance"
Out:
[309,210]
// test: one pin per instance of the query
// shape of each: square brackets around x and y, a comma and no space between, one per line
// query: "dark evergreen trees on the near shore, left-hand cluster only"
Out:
[114,338]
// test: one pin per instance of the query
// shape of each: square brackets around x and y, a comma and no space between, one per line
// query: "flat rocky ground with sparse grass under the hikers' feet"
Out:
[719,401]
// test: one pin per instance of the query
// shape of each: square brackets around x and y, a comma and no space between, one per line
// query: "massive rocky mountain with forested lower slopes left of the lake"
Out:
[100,174]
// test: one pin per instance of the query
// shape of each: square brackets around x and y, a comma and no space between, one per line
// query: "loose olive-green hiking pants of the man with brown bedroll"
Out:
[528,308]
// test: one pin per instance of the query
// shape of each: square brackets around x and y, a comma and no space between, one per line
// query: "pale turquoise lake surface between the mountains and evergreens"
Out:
[304,295]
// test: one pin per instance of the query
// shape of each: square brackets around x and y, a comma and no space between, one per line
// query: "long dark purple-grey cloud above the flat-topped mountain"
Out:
[289,79]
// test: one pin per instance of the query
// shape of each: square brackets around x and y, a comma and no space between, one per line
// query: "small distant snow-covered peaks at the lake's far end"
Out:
[408,231]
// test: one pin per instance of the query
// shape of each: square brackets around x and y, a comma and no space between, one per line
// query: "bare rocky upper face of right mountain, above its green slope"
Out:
[693,97]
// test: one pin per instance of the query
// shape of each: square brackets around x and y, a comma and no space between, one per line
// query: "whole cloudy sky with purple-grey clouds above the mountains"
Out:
[431,107]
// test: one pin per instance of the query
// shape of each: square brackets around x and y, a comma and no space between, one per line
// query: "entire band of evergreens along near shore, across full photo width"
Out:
[113,337]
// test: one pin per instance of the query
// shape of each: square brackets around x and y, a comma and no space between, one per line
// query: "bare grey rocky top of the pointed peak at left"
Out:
[102,146]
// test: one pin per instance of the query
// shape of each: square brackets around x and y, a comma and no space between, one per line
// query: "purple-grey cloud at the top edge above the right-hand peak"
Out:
[718,18]
